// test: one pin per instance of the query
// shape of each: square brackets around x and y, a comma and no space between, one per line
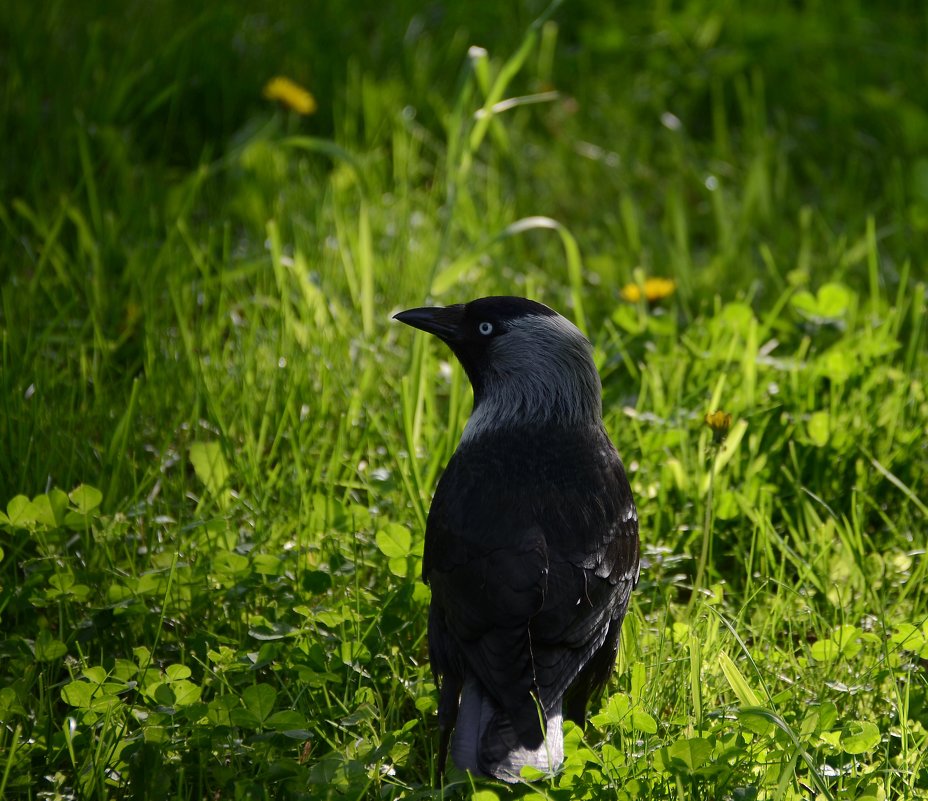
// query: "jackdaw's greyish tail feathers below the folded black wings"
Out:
[486,743]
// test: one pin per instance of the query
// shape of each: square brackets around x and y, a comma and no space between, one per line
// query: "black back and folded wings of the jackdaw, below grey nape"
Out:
[531,552]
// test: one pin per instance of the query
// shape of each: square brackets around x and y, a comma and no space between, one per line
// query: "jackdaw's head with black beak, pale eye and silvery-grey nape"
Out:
[528,365]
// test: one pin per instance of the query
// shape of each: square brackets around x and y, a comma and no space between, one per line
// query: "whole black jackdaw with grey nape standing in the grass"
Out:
[531,543]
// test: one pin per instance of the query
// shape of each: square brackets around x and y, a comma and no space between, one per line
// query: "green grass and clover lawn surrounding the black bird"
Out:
[217,452]
